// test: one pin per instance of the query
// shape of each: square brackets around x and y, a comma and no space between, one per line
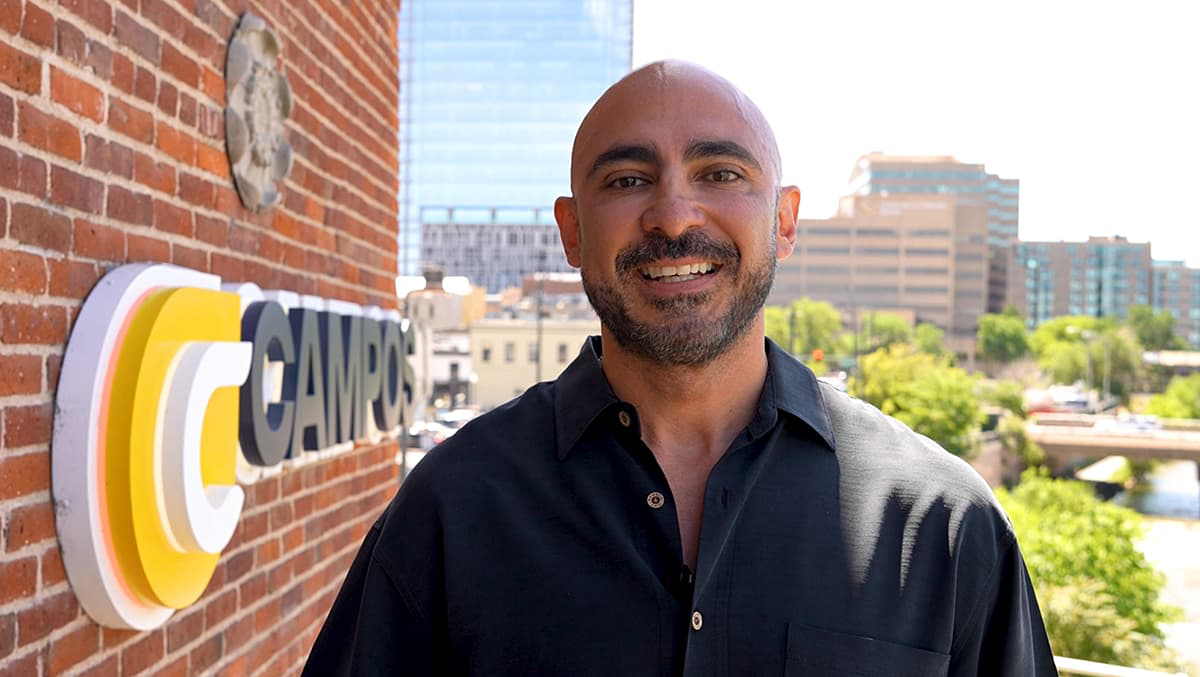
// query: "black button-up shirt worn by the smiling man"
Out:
[543,540]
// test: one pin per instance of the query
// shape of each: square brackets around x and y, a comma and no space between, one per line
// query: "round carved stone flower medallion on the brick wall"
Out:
[257,101]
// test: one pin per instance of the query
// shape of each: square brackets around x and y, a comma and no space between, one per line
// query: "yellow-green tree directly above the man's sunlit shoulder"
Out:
[934,399]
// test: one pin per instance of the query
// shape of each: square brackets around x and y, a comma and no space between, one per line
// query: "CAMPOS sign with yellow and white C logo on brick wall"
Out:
[175,390]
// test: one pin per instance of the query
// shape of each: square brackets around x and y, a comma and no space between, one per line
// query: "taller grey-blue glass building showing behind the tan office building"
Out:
[883,175]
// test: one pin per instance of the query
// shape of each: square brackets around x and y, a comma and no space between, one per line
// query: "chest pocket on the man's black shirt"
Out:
[813,652]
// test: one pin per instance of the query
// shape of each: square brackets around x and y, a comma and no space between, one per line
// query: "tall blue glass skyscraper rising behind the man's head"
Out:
[491,95]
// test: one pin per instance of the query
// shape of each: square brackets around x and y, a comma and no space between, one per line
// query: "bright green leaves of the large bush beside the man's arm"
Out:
[1073,541]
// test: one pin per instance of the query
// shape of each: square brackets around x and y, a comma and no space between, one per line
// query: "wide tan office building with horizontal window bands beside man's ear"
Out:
[920,254]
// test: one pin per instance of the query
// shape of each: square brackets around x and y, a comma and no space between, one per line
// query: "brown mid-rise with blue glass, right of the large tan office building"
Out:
[1101,278]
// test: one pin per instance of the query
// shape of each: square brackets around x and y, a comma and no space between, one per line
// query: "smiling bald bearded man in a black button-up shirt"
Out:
[686,499]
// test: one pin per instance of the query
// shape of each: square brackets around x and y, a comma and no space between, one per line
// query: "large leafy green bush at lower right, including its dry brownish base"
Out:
[1100,595]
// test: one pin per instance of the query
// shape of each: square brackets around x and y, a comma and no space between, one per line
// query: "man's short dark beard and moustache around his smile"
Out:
[682,335]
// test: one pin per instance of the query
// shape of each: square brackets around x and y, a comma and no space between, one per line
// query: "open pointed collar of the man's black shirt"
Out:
[583,394]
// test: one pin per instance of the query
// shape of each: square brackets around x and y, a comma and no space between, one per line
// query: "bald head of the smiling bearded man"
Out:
[677,217]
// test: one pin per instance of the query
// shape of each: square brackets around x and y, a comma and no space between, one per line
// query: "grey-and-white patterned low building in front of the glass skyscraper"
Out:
[493,248]
